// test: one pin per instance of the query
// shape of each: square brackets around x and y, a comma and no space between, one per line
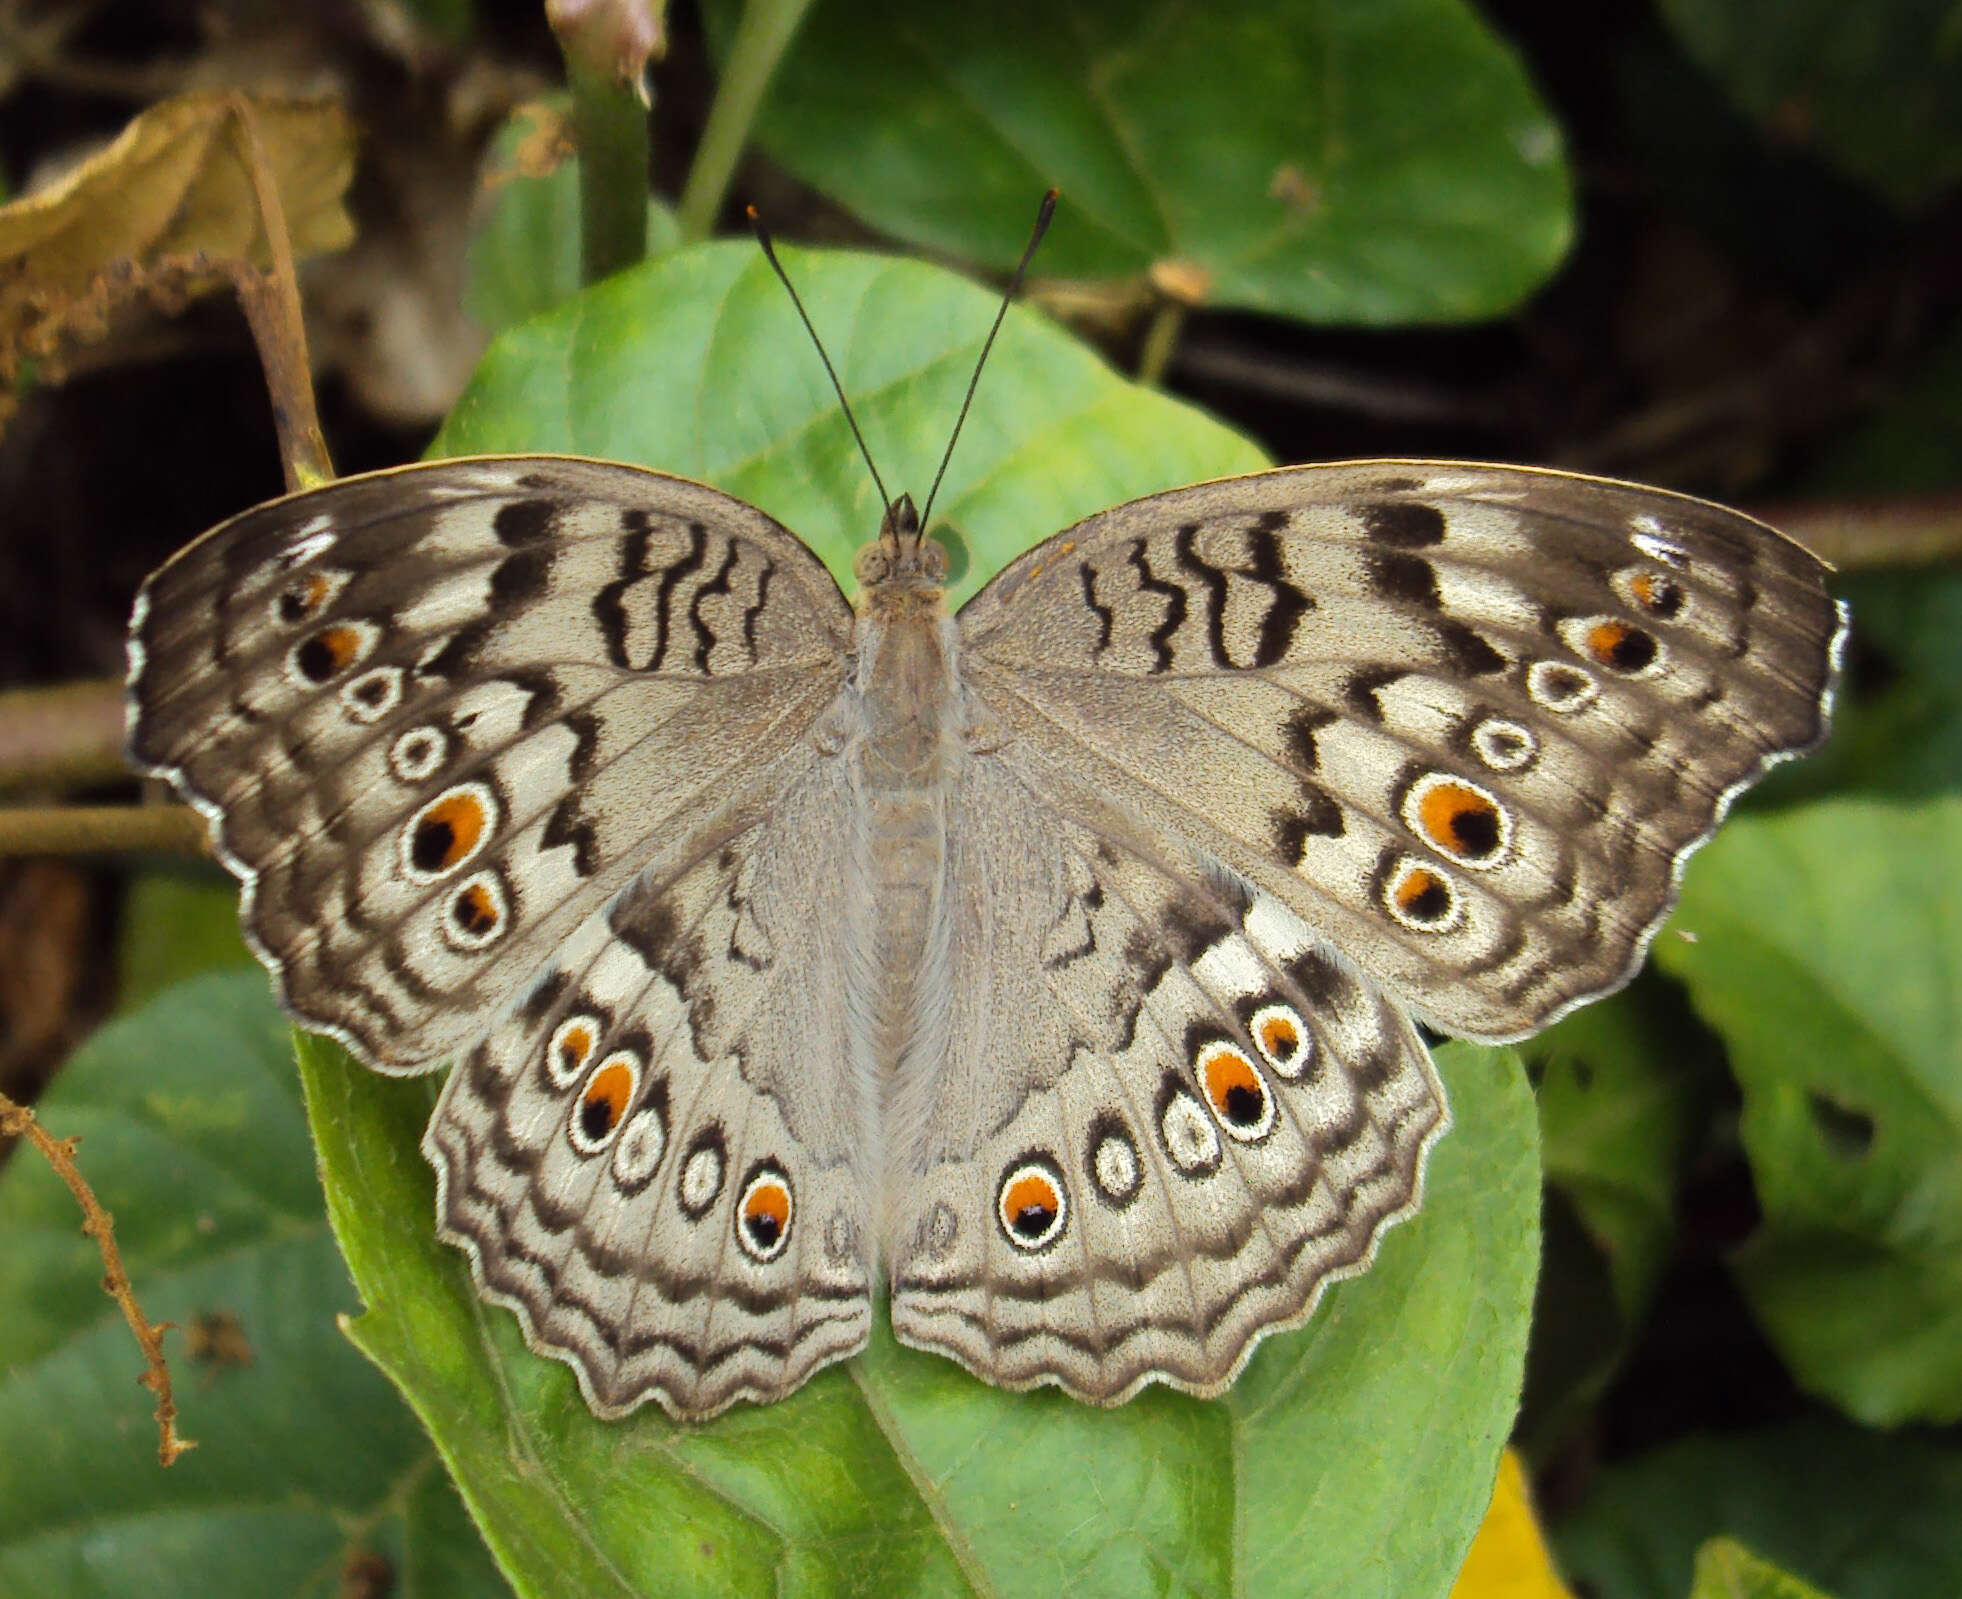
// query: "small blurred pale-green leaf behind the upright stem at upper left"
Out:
[525,258]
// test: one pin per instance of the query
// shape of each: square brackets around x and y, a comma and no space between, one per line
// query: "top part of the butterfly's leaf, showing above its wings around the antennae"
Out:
[696,364]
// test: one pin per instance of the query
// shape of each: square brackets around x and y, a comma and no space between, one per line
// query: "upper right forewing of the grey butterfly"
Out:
[1465,721]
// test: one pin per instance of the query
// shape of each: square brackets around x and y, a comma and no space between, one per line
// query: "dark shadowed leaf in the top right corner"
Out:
[1877,87]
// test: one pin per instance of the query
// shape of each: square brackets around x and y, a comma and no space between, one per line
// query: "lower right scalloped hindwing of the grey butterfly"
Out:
[1159,1117]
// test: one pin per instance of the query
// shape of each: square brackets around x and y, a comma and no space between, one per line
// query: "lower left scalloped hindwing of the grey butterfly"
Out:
[656,1159]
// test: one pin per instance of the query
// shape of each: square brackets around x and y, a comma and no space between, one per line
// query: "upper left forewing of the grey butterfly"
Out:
[423,711]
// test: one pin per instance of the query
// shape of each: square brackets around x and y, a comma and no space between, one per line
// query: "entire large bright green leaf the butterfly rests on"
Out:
[1357,1453]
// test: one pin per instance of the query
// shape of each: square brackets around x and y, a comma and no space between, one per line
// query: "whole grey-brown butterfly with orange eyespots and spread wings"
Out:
[1058,962]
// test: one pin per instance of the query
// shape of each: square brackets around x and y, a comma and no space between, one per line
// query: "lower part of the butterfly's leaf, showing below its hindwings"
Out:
[1353,1453]
